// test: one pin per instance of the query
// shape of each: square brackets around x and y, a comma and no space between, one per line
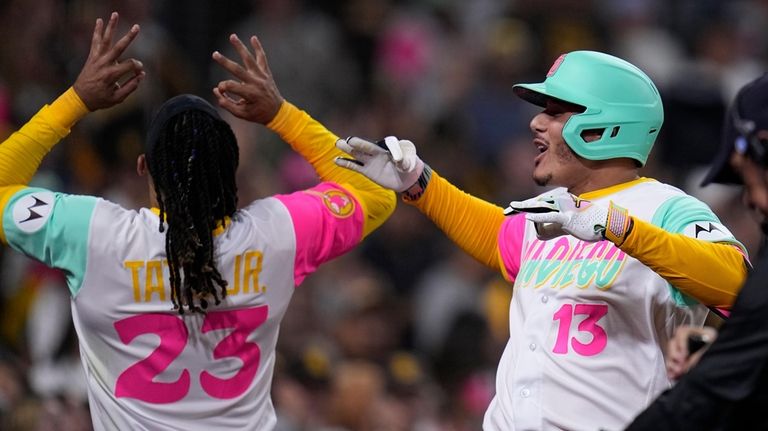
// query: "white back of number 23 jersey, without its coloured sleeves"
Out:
[113,294]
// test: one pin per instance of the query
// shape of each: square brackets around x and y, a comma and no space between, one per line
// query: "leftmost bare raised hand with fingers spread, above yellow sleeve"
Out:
[105,80]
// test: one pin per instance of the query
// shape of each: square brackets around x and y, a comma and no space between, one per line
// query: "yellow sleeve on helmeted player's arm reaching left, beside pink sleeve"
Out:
[472,223]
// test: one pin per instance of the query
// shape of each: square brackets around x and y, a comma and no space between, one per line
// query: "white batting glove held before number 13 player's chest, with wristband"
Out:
[563,213]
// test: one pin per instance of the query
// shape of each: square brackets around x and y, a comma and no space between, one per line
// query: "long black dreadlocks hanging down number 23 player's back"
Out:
[193,165]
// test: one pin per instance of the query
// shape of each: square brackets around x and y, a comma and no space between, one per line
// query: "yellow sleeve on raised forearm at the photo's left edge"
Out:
[22,152]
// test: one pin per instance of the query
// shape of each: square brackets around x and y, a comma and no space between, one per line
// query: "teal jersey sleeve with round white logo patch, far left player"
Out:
[53,228]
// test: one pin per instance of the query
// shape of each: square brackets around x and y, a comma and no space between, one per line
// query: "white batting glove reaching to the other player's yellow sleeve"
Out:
[390,163]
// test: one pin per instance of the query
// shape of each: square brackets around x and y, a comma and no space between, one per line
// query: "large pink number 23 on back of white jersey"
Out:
[137,381]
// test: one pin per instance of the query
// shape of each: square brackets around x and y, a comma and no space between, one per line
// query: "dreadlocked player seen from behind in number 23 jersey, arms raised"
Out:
[139,280]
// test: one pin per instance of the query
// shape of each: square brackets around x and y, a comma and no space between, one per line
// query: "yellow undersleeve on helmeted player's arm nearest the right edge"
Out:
[711,272]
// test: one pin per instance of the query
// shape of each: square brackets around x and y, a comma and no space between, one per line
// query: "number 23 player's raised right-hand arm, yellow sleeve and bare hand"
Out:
[253,96]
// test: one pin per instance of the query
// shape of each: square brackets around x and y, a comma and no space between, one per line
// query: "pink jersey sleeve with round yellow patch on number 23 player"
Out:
[328,222]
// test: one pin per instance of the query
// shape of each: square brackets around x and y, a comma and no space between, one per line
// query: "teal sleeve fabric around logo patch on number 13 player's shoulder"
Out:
[673,216]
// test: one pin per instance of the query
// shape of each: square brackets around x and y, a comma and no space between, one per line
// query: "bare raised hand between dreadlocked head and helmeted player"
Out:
[253,95]
